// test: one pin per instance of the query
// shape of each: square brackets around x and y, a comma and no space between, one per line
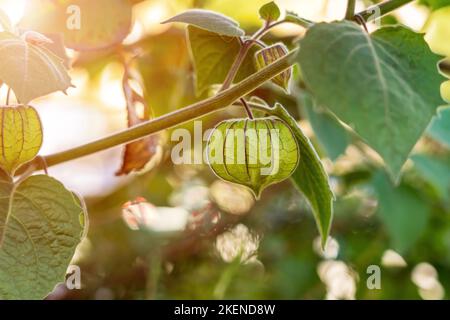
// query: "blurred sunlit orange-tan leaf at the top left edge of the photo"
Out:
[85,24]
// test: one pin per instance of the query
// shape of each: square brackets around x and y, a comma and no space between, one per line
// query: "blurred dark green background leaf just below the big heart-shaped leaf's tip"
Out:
[402,210]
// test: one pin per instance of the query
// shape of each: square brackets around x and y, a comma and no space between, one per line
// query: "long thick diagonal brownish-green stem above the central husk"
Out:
[219,101]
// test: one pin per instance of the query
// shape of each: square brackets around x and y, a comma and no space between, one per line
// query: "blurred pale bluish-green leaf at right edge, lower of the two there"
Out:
[436,171]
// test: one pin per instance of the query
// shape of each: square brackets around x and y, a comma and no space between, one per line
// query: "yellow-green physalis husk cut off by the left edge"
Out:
[20,136]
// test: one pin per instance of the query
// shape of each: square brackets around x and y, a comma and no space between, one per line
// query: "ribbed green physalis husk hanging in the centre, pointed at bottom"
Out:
[255,153]
